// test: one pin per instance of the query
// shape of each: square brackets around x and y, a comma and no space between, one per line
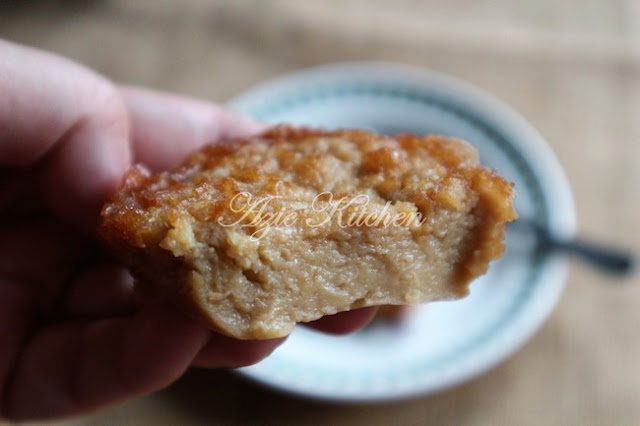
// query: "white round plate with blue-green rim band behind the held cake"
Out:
[445,343]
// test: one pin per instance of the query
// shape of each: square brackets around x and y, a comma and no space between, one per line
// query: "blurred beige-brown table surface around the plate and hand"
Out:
[571,67]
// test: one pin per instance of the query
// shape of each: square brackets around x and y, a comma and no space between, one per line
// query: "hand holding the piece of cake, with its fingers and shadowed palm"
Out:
[74,338]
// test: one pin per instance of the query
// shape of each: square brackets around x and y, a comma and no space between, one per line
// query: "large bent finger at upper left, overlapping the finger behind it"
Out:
[68,119]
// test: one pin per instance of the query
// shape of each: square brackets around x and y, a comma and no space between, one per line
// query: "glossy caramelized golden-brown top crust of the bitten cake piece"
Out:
[291,168]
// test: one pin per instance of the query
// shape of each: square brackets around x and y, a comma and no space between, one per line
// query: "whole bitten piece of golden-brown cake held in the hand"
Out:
[254,235]
